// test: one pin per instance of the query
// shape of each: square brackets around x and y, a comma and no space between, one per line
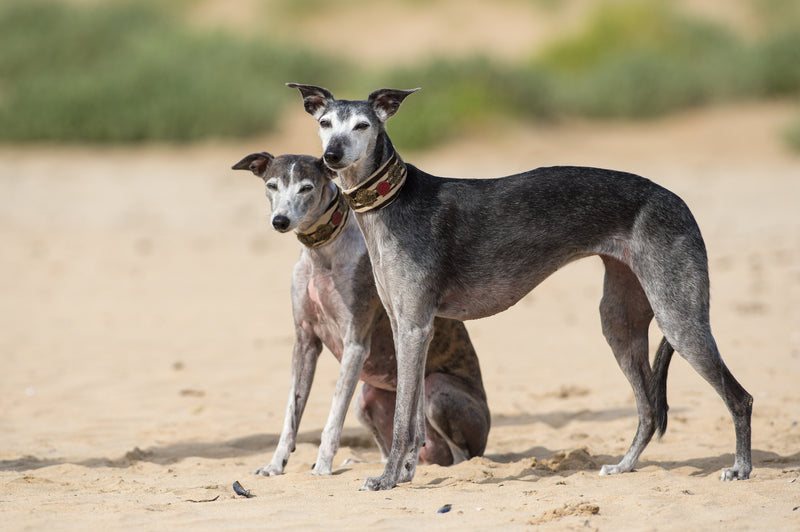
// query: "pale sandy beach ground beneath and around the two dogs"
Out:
[146,338]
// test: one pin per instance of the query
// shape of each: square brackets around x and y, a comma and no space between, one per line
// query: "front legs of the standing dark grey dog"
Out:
[411,345]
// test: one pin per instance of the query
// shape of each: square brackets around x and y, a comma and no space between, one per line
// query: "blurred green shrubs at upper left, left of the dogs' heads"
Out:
[131,72]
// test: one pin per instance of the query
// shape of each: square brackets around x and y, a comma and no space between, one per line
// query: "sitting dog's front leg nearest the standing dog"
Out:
[355,353]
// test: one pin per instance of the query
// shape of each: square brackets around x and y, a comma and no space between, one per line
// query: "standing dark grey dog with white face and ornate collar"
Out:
[469,248]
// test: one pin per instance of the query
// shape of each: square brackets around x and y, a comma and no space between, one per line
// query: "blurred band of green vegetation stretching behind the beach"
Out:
[136,71]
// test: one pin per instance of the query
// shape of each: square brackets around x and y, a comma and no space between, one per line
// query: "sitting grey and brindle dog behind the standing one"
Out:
[335,303]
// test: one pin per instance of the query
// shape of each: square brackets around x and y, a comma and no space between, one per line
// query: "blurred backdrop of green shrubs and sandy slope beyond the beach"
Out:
[108,71]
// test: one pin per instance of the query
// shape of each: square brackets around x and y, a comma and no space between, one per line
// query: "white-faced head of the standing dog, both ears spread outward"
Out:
[349,129]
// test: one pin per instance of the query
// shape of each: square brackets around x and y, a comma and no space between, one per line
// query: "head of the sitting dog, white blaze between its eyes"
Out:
[299,187]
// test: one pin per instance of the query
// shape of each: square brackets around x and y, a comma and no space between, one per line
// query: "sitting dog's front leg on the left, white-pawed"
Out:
[307,348]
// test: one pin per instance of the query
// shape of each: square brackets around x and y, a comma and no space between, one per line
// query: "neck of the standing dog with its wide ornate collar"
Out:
[375,182]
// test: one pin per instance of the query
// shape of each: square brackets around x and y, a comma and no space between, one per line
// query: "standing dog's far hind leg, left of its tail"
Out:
[626,315]
